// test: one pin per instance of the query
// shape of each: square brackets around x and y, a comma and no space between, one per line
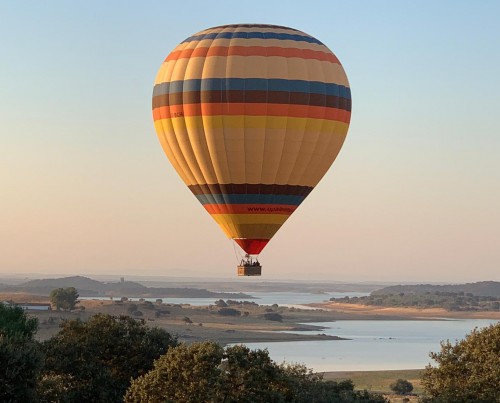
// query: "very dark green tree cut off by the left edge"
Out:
[20,357]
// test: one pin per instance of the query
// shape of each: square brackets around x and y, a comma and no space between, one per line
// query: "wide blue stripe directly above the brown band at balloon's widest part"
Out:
[252,84]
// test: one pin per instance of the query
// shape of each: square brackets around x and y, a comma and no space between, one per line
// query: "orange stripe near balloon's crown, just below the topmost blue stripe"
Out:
[253,51]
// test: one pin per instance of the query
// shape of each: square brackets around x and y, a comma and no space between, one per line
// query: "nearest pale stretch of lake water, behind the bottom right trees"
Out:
[374,344]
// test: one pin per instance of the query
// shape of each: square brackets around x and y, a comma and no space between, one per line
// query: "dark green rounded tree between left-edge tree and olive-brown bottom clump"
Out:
[100,356]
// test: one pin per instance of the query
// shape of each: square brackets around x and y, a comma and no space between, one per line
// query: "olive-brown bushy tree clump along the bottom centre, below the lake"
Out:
[207,372]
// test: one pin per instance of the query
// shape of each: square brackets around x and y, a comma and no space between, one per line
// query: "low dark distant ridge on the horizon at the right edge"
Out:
[481,288]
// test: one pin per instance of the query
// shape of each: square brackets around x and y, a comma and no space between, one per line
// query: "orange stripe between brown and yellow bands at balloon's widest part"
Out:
[253,109]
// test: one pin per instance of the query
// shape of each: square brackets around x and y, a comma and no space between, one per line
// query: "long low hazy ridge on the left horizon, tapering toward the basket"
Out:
[88,287]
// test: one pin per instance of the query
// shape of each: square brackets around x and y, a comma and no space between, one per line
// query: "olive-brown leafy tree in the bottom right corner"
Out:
[468,371]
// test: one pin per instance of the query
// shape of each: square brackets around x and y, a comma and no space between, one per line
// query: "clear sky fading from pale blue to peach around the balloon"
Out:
[414,195]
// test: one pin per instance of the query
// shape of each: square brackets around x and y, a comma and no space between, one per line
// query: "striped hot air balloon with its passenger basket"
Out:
[251,117]
